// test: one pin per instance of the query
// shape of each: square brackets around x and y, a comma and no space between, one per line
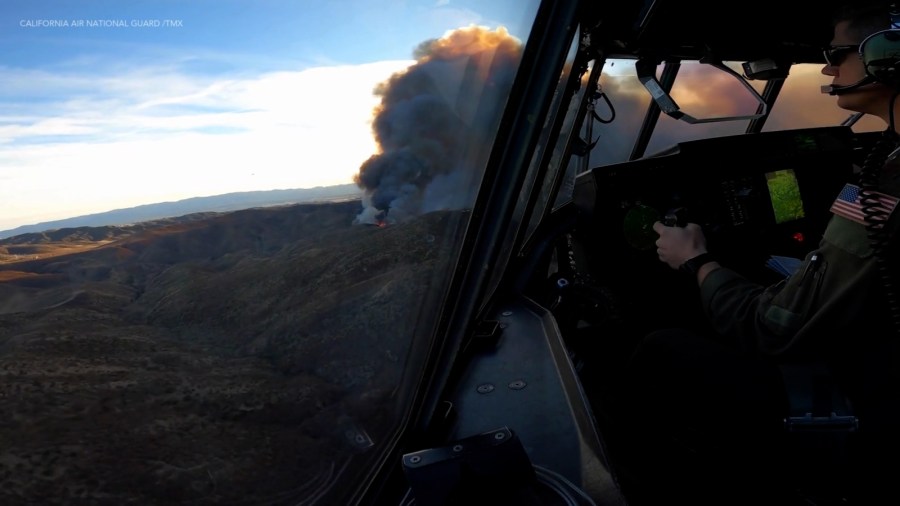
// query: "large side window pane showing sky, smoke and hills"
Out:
[227,229]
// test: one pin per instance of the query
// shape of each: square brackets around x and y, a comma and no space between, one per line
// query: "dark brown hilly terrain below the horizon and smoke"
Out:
[223,358]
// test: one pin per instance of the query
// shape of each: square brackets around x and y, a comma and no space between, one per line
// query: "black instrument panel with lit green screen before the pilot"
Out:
[755,195]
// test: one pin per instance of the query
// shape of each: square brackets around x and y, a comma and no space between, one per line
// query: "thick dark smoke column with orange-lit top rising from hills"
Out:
[435,124]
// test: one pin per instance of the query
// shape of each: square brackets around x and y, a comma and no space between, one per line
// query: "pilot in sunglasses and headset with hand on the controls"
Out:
[723,394]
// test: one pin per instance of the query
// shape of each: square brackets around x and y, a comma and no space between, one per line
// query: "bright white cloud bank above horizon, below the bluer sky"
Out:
[72,144]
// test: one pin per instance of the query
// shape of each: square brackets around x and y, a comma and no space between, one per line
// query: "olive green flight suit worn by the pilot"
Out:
[827,301]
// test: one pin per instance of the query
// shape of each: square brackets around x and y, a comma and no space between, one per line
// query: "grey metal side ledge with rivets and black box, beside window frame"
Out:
[523,432]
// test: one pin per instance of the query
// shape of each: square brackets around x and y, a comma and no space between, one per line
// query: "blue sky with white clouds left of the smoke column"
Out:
[199,97]
